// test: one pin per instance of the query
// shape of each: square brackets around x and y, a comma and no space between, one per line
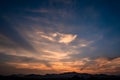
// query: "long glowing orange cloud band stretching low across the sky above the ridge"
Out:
[100,65]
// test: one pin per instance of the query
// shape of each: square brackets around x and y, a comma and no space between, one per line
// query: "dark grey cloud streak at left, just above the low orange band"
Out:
[14,58]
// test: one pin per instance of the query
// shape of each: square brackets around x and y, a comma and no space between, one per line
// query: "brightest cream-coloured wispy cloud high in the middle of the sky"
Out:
[58,37]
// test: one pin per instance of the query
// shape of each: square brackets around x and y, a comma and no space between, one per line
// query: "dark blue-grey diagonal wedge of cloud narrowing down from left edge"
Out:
[8,31]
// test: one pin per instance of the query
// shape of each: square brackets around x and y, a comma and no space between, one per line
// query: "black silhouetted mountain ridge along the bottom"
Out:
[64,76]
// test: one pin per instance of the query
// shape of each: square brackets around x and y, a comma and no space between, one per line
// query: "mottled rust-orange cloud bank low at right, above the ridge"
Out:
[102,65]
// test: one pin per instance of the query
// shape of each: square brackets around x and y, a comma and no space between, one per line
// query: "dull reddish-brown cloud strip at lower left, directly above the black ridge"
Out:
[6,69]
